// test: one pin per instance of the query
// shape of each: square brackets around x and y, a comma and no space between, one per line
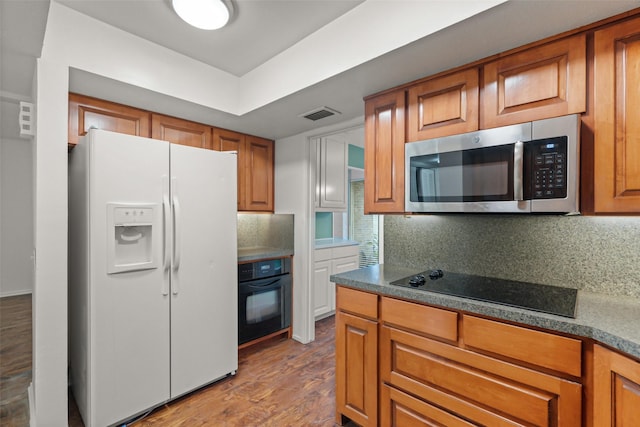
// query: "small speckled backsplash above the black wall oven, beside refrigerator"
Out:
[265,230]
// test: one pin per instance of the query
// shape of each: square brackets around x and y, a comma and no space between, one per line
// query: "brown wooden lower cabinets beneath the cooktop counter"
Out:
[400,363]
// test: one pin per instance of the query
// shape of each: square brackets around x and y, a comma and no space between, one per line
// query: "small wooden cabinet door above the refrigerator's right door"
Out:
[179,131]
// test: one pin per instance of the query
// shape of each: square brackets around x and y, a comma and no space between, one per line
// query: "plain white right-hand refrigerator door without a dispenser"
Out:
[204,267]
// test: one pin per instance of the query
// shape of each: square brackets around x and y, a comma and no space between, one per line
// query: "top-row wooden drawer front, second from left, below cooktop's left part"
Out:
[422,319]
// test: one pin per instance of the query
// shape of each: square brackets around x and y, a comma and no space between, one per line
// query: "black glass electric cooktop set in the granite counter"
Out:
[532,296]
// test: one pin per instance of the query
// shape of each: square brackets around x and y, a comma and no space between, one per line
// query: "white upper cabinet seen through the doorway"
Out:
[332,158]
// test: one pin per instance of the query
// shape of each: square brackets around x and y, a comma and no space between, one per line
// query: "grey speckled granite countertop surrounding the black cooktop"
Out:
[611,320]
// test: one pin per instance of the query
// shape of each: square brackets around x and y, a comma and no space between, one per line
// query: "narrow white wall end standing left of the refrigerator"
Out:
[49,370]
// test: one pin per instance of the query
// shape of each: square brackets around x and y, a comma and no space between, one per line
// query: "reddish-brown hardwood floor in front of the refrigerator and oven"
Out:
[279,383]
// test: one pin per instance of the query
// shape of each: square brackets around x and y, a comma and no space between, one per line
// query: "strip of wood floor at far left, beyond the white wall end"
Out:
[15,360]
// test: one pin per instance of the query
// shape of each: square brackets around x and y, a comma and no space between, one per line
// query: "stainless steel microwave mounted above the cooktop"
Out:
[524,168]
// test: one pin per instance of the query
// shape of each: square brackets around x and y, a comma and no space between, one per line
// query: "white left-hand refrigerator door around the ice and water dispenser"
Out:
[129,311]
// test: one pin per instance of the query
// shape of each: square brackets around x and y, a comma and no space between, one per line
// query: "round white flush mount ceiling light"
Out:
[203,14]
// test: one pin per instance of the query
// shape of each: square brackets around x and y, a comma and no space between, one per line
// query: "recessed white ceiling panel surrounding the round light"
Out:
[258,31]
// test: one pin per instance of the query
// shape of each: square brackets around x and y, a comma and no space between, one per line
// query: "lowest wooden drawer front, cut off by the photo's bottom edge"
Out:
[401,409]
